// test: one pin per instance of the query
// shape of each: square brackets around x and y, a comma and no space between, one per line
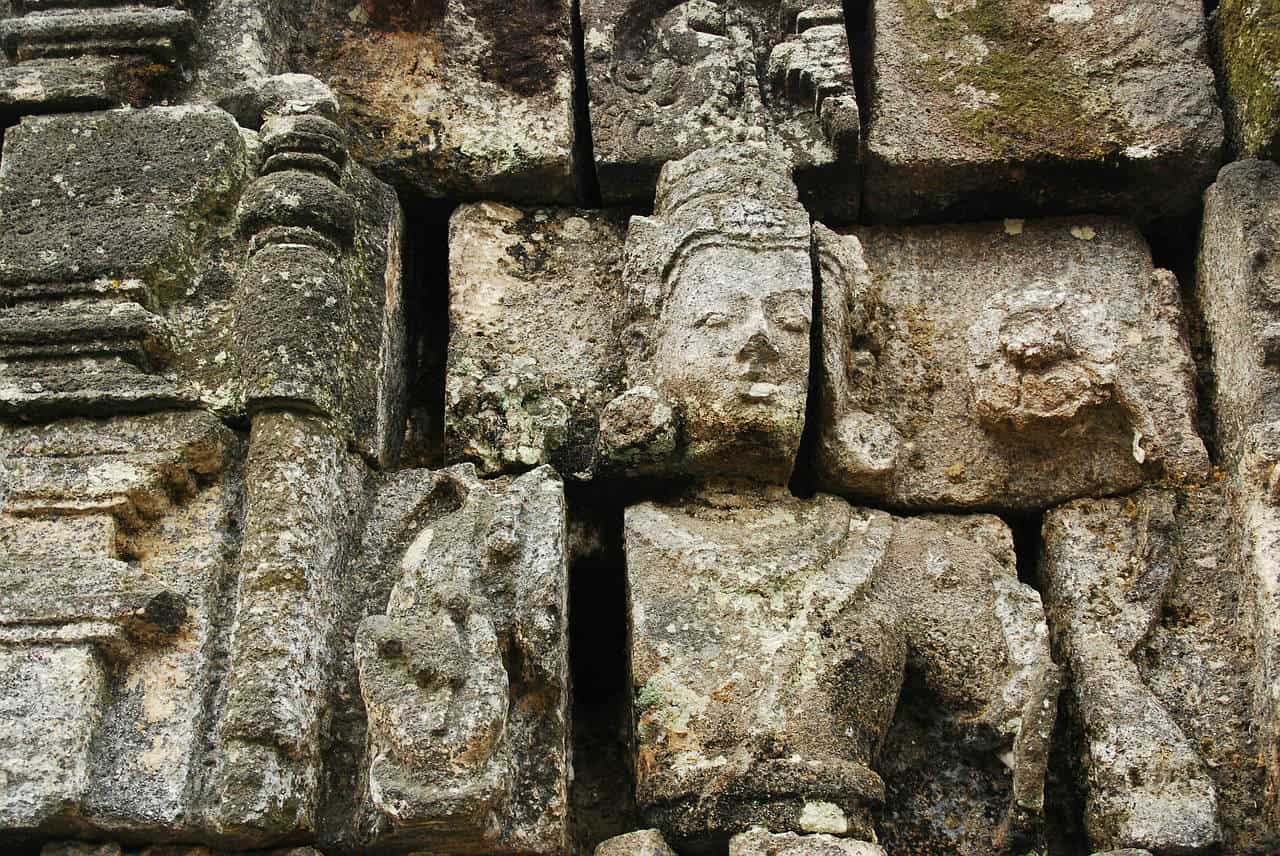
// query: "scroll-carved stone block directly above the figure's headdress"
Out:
[666,80]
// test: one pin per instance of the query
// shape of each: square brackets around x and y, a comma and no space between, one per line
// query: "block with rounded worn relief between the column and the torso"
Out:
[463,665]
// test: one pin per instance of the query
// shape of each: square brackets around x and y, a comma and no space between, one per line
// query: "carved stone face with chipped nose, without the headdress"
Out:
[734,345]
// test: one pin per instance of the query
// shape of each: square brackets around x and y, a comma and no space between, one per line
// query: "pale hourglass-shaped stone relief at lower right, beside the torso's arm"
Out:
[1109,566]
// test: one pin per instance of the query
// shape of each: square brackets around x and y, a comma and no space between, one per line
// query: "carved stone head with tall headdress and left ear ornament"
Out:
[720,303]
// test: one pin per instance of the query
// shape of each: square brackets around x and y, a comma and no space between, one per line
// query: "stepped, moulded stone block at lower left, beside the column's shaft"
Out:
[116,560]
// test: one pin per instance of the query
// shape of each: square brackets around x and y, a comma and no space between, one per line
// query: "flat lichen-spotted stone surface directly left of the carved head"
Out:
[534,303]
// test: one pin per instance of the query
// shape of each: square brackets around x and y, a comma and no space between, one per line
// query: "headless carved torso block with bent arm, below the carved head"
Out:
[770,643]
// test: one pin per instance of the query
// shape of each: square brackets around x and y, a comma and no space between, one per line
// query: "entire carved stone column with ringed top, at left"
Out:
[291,332]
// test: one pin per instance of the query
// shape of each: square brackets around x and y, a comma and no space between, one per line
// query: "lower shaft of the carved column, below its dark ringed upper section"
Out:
[303,496]
